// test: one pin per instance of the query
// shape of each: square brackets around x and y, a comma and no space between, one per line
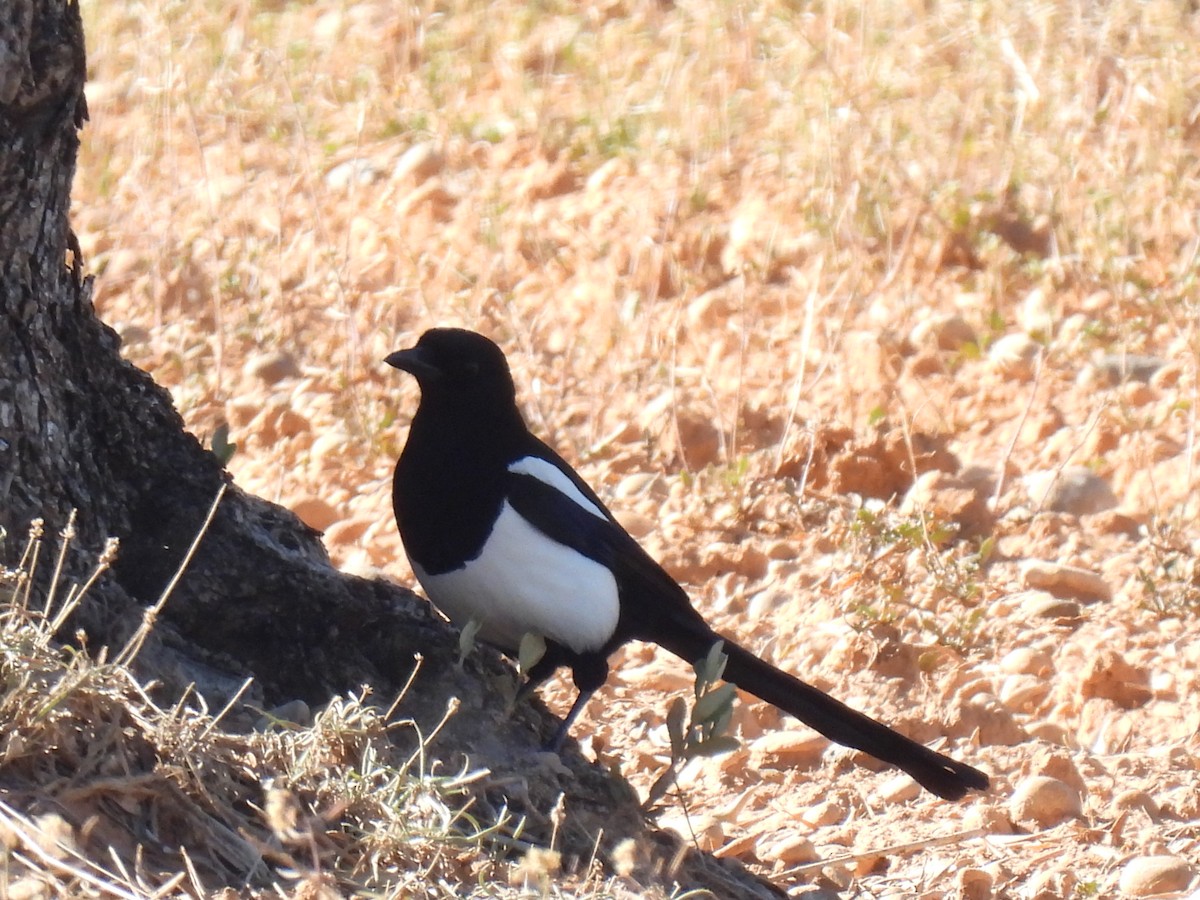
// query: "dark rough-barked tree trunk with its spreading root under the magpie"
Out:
[83,430]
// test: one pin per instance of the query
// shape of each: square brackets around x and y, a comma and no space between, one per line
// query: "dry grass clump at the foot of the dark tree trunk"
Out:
[106,793]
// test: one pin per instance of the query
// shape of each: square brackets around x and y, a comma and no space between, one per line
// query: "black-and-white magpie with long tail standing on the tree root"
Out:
[502,532]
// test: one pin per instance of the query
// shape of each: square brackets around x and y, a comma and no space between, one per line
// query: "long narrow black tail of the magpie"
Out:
[941,775]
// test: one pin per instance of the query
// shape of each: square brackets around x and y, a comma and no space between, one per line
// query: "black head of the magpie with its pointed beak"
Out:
[458,367]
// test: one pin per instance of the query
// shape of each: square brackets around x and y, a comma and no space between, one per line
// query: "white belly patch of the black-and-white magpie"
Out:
[524,583]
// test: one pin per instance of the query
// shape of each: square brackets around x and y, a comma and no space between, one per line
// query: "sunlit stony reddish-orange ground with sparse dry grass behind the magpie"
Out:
[721,242]
